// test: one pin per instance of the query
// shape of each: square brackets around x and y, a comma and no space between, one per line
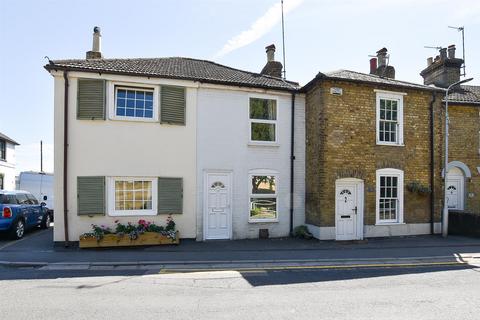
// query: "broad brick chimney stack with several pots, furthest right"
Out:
[444,70]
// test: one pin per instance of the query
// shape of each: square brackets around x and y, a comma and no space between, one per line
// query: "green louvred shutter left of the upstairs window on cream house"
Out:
[91,99]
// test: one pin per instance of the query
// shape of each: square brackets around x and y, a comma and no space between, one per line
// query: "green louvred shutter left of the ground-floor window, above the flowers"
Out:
[91,195]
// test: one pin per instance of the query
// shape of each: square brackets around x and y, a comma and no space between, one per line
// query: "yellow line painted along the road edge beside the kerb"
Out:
[351,266]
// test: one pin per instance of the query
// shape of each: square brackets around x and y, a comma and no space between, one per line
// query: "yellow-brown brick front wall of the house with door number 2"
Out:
[341,143]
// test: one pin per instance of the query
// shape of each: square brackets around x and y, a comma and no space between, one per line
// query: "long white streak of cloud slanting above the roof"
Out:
[259,28]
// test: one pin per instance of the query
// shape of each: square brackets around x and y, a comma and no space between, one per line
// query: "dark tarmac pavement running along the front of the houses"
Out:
[36,250]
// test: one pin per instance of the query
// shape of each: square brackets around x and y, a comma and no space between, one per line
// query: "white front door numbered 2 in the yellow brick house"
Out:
[348,210]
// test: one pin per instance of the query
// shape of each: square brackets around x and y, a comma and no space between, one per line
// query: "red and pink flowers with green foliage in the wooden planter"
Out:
[132,230]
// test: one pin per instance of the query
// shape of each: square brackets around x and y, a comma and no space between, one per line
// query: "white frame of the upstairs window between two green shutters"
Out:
[112,105]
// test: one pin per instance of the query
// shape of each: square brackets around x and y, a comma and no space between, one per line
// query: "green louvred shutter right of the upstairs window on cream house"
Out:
[172,106]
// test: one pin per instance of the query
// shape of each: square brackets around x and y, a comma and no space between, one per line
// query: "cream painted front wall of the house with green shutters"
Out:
[122,148]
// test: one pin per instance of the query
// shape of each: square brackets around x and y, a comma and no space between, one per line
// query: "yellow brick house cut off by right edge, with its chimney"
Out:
[463,175]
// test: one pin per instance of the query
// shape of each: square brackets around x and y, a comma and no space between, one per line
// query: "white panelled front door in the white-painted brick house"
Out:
[217,205]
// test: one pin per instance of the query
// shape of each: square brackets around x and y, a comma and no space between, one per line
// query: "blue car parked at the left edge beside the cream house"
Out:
[19,211]
